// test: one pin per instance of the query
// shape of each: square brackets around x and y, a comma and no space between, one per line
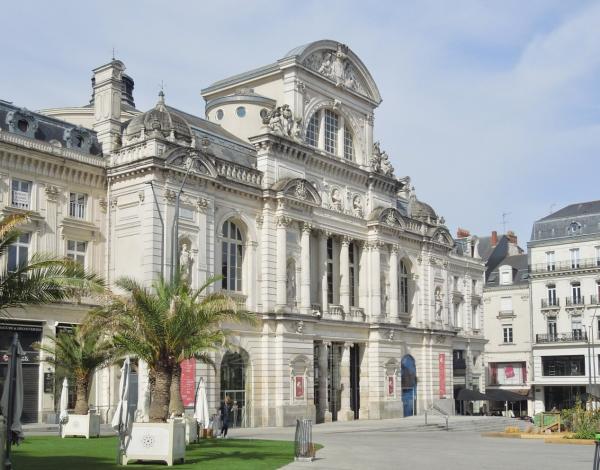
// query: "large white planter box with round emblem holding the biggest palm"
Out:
[156,441]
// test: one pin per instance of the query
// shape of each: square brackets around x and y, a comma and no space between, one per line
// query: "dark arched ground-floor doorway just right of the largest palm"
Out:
[233,384]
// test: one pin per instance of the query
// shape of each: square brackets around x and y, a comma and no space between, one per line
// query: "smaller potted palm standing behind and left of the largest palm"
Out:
[79,353]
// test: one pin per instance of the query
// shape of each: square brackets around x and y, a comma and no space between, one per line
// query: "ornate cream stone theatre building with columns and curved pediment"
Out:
[368,307]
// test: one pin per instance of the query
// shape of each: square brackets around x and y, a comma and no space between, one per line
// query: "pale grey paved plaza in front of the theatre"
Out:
[398,444]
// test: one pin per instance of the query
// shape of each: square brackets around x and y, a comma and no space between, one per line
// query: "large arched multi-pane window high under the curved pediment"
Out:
[328,131]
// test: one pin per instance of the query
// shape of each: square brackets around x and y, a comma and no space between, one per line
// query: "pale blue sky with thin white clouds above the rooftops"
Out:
[490,107]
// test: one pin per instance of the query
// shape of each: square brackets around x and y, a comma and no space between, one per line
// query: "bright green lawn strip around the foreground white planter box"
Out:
[53,453]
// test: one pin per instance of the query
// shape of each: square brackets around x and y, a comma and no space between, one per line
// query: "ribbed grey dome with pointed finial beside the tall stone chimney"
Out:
[160,119]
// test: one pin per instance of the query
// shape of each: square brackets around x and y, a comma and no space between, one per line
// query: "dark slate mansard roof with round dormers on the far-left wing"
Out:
[58,133]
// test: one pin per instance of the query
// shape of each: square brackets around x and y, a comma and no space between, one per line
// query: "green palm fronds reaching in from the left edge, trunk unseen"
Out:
[43,278]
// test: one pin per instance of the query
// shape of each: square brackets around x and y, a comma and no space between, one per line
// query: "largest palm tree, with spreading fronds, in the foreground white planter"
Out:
[167,324]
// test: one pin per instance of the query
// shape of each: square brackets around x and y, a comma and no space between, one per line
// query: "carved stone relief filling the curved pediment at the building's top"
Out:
[336,66]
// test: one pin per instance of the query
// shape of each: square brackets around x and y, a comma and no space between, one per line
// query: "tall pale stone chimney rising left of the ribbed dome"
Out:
[108,86]
